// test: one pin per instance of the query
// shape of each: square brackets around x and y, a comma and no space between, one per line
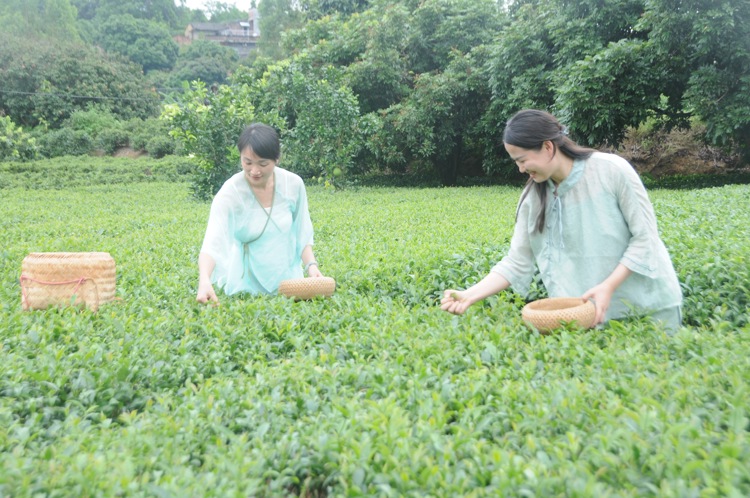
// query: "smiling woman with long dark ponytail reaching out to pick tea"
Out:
[585,222]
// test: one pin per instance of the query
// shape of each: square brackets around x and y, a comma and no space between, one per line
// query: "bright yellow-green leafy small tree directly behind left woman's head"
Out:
[208,123]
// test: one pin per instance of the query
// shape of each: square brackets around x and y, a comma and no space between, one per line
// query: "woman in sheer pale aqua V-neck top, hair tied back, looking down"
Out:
[259,230]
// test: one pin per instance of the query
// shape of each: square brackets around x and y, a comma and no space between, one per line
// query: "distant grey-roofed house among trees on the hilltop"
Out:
[242,36]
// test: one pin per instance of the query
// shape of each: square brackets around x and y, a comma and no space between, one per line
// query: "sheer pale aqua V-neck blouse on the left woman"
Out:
[248,257]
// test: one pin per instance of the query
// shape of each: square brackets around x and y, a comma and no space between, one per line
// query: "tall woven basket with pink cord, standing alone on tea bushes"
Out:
[67,278]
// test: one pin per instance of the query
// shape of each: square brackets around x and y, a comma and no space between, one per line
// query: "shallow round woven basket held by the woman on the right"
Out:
[547,314]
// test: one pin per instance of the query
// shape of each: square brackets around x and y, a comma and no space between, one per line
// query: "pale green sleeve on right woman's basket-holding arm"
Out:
[641,254]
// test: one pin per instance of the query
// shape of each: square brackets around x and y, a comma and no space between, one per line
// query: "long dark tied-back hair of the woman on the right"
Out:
[529,129]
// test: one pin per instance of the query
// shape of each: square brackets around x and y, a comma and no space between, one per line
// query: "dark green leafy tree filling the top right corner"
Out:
[703,49]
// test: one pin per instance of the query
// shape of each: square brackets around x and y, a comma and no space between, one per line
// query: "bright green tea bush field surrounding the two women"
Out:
[375,391]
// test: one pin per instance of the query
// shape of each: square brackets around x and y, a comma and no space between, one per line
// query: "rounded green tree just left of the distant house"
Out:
[145,42]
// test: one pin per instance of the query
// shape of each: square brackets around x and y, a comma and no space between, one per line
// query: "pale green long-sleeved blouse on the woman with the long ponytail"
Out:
[600,216]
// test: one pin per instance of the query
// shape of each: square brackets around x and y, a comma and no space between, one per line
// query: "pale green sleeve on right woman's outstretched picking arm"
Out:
[517,267]
